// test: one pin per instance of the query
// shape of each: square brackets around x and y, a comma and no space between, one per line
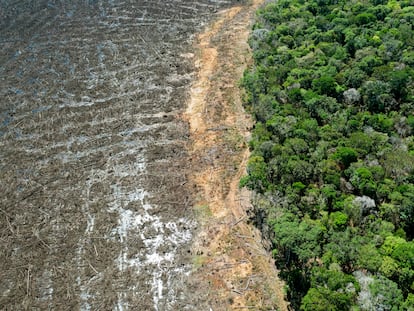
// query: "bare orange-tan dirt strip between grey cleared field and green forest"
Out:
[232,270]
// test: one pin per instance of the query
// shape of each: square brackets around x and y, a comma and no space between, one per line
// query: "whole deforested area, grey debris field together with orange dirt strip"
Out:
[95,152]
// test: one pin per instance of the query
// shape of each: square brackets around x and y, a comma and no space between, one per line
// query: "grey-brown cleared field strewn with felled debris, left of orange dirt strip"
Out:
[94,207]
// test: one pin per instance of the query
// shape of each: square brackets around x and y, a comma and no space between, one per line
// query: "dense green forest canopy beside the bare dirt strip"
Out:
[332,162]
